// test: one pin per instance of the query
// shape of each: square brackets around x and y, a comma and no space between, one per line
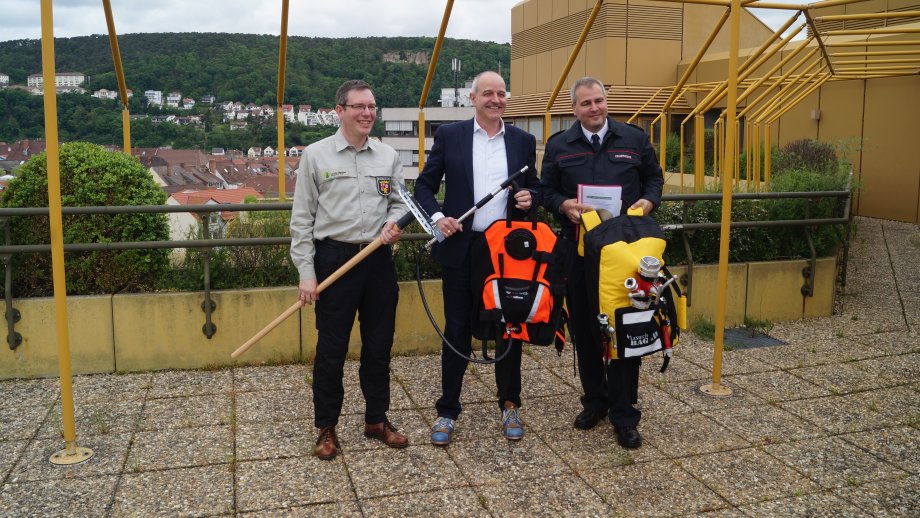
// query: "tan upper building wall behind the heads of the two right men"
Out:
[632,42]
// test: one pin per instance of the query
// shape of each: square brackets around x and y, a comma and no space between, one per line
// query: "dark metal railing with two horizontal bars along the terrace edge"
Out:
[206,242]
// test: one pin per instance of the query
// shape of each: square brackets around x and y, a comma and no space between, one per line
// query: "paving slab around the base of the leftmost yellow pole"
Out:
[109,456]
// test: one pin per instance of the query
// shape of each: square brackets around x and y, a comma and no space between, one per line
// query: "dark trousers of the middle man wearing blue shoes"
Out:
[459,305]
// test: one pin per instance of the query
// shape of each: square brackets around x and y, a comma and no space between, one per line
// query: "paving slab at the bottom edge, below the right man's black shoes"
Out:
[653,489]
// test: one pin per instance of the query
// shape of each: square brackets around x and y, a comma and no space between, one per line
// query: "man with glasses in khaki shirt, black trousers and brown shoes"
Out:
[342,202]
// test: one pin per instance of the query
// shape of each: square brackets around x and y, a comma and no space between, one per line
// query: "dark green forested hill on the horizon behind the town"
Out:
[244,67]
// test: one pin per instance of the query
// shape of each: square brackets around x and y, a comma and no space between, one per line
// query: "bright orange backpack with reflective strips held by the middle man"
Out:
[518,272]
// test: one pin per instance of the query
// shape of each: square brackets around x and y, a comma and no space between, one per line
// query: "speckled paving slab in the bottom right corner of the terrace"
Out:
[885,498]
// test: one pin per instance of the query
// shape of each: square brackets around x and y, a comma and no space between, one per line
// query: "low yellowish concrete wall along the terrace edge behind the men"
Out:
[123,333]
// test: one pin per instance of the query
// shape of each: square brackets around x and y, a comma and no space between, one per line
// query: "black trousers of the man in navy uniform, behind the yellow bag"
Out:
[616,390]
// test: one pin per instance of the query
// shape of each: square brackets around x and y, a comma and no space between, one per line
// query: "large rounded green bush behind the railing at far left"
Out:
[90,176]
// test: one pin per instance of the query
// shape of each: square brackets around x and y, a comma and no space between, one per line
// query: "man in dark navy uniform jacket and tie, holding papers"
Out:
[598,150]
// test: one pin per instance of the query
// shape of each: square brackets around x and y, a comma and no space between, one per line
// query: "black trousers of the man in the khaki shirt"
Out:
[370,291]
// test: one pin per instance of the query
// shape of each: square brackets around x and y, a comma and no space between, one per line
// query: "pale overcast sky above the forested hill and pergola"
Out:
[488,20]
